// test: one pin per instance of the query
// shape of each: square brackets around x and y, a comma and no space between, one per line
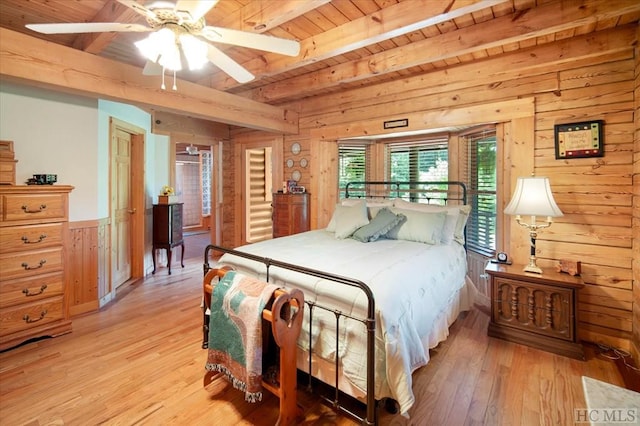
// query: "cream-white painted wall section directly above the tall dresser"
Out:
[54,133]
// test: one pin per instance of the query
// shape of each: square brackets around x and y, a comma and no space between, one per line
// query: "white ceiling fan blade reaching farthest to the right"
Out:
[252,40]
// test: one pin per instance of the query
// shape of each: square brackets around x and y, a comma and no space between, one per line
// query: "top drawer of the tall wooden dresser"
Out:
[34,208]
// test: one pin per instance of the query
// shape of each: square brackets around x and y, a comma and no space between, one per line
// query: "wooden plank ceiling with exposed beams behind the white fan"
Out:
[344,43]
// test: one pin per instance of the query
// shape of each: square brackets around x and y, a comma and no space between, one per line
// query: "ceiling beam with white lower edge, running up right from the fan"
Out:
[377,27]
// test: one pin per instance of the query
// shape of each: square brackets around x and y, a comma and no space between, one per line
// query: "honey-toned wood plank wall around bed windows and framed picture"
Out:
[575,79]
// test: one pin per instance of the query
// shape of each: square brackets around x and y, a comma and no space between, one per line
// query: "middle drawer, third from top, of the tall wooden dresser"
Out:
[27,264]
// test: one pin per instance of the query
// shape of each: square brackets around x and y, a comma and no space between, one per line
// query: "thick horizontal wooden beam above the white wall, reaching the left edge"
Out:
[25,58]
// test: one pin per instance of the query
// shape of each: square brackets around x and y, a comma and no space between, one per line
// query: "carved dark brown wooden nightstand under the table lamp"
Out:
[535,310]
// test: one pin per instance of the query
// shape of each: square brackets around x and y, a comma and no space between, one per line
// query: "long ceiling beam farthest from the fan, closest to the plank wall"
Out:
[513,28]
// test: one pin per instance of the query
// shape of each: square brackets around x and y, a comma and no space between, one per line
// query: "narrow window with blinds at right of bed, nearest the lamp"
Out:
[481,177]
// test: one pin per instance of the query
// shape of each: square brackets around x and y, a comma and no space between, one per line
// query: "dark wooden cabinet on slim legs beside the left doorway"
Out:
[167,231]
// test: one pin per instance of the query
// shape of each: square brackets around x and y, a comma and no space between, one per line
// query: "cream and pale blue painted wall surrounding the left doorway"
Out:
[67,135]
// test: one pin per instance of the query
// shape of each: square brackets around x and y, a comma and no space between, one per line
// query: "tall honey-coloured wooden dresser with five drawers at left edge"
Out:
[33,230]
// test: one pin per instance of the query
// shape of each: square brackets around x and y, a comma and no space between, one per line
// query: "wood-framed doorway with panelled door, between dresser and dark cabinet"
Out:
[126,202]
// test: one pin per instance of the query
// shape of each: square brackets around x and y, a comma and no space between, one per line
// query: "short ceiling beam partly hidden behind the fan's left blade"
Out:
[111,12]
